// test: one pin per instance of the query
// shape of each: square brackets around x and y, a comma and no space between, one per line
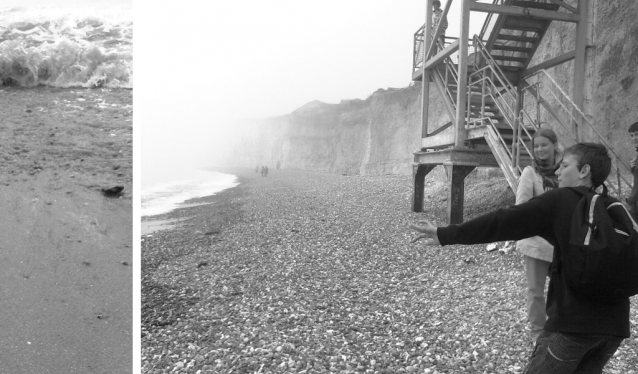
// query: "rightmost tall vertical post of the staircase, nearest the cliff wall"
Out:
[579,62]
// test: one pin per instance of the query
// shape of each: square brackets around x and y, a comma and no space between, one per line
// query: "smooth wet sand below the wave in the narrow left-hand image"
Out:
[66,247]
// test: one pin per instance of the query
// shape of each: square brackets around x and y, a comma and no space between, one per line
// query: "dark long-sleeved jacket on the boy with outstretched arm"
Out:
[549,216]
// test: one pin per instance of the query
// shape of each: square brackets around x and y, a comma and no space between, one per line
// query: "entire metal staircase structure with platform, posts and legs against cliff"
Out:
[507,100]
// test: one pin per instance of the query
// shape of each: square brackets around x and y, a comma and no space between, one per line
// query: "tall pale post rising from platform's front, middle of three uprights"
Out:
[461,92]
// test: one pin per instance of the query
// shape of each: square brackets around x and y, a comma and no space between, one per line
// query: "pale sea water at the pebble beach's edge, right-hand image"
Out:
[170,193]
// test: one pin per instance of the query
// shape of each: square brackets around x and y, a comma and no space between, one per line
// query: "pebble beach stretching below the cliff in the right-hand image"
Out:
[312,272]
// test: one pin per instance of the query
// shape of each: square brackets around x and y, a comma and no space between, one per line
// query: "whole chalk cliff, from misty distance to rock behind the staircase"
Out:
[379,135]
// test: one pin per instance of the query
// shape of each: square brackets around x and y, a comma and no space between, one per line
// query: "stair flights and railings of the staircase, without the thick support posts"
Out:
[496,73]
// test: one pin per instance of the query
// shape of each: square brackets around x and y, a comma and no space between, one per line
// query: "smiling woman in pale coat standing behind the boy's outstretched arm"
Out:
[536,251]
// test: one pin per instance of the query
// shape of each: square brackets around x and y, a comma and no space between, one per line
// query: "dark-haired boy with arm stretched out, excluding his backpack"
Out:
[580,335]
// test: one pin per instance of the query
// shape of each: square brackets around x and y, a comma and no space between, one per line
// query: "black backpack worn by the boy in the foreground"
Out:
[602,260]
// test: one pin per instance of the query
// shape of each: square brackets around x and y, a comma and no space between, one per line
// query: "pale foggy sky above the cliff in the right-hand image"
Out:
[198,67]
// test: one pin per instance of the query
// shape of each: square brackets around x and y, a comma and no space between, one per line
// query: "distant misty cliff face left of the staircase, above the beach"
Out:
[374,136]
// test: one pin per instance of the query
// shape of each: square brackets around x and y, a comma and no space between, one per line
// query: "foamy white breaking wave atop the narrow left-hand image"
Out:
[66,47]
